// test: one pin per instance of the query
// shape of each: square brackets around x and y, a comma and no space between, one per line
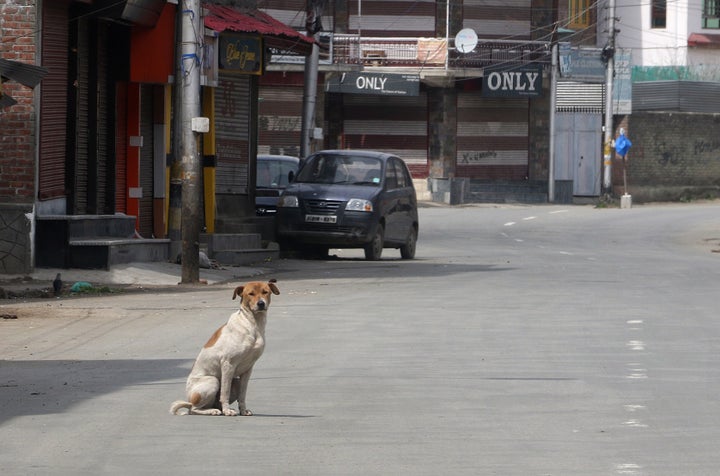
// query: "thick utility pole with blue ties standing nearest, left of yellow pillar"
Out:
[189,82]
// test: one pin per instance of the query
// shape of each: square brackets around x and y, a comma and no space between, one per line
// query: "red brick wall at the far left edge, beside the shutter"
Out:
[17,123]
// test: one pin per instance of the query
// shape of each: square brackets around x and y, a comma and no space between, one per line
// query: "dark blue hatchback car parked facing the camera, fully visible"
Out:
[349,199]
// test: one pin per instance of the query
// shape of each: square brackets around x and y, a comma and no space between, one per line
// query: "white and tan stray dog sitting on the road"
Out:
[222,370]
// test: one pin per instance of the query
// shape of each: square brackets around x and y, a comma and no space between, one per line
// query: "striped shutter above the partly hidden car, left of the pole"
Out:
[280,120]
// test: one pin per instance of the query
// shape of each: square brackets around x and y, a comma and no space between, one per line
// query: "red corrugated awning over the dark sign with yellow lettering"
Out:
[275,33]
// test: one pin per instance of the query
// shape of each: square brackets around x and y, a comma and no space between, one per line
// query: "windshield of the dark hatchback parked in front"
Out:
[341,169]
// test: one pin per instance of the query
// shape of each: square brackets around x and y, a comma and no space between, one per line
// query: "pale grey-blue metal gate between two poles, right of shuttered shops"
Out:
[578,152]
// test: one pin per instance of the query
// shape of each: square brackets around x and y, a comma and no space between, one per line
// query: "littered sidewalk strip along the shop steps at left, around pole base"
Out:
[132,275]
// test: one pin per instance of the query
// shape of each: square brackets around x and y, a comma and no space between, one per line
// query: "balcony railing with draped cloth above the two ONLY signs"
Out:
[434,52]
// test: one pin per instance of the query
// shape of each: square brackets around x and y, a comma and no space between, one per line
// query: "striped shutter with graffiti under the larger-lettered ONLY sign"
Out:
[492,137]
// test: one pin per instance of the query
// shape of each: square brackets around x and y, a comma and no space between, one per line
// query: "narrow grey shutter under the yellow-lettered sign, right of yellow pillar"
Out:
[232,133]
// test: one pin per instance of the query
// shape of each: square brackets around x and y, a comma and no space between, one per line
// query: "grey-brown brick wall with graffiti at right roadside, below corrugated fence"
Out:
[674,156]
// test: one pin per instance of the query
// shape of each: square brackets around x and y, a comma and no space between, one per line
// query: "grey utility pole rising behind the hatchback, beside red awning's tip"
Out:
[314,10]
